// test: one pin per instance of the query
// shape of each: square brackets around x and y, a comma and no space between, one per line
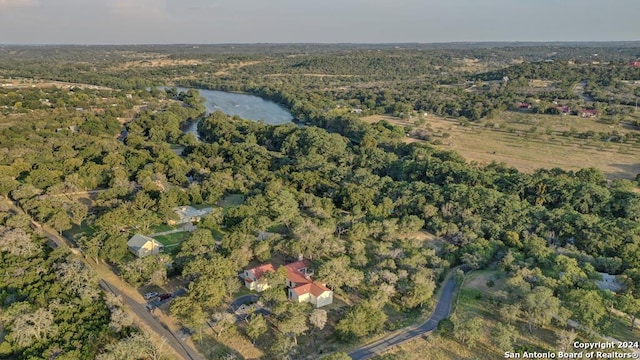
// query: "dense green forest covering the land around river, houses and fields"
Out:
[349,195]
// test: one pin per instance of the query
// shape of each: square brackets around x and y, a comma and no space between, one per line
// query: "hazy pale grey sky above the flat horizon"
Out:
[315,21]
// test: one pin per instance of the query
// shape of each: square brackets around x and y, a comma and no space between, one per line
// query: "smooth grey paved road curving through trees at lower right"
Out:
[443,307]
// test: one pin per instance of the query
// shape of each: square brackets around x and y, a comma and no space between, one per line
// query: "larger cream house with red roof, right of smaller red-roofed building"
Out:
[302,288]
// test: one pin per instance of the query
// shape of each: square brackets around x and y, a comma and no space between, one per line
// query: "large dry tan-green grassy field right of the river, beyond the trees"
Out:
[531,141]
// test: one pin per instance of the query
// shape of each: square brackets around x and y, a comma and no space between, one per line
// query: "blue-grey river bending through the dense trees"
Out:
[246,106]
